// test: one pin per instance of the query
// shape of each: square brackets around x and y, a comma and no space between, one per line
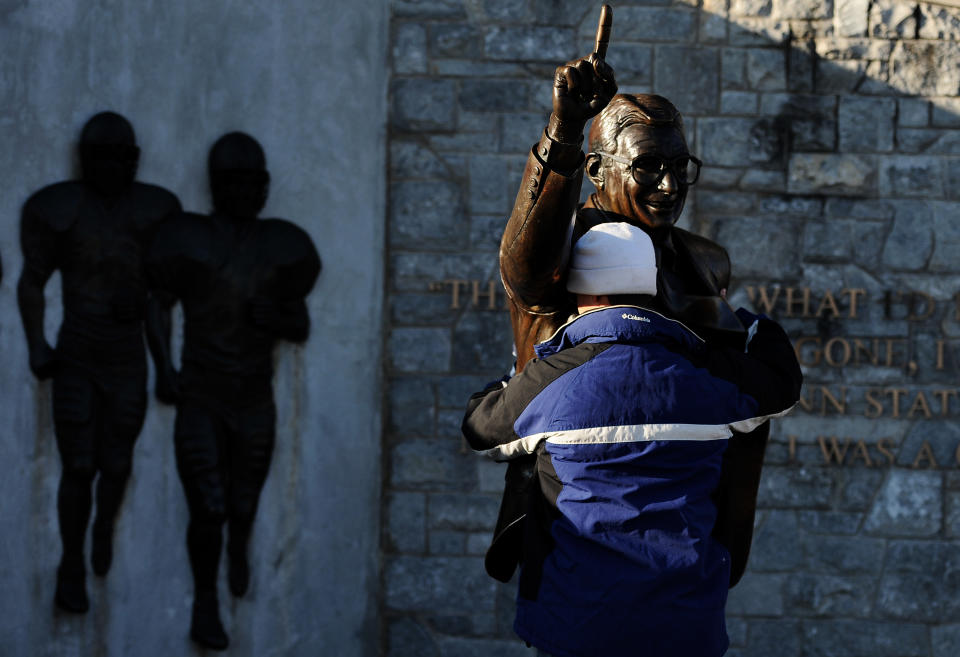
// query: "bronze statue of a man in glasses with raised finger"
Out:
[642,169]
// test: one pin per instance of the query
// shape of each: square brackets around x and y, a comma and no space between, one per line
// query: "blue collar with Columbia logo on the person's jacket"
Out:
[625,324]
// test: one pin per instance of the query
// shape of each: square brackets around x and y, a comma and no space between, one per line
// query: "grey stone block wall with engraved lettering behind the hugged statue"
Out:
[831,137]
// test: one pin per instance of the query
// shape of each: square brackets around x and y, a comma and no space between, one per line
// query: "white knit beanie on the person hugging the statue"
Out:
[613,258]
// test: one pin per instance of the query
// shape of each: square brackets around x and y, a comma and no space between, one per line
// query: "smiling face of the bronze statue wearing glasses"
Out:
[656,204]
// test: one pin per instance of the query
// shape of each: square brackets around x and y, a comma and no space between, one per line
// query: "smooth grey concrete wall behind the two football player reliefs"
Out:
[308,79]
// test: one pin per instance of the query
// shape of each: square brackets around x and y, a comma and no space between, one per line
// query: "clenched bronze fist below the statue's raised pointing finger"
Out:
[581,89]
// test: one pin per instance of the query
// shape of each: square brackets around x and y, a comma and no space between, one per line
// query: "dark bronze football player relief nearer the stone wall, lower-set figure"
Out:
[242,282]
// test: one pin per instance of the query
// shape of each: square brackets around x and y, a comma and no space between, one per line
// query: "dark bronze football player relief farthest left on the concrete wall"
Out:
[96,232]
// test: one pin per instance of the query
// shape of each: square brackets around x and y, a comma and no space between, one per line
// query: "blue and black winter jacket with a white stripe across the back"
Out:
[629,413]
